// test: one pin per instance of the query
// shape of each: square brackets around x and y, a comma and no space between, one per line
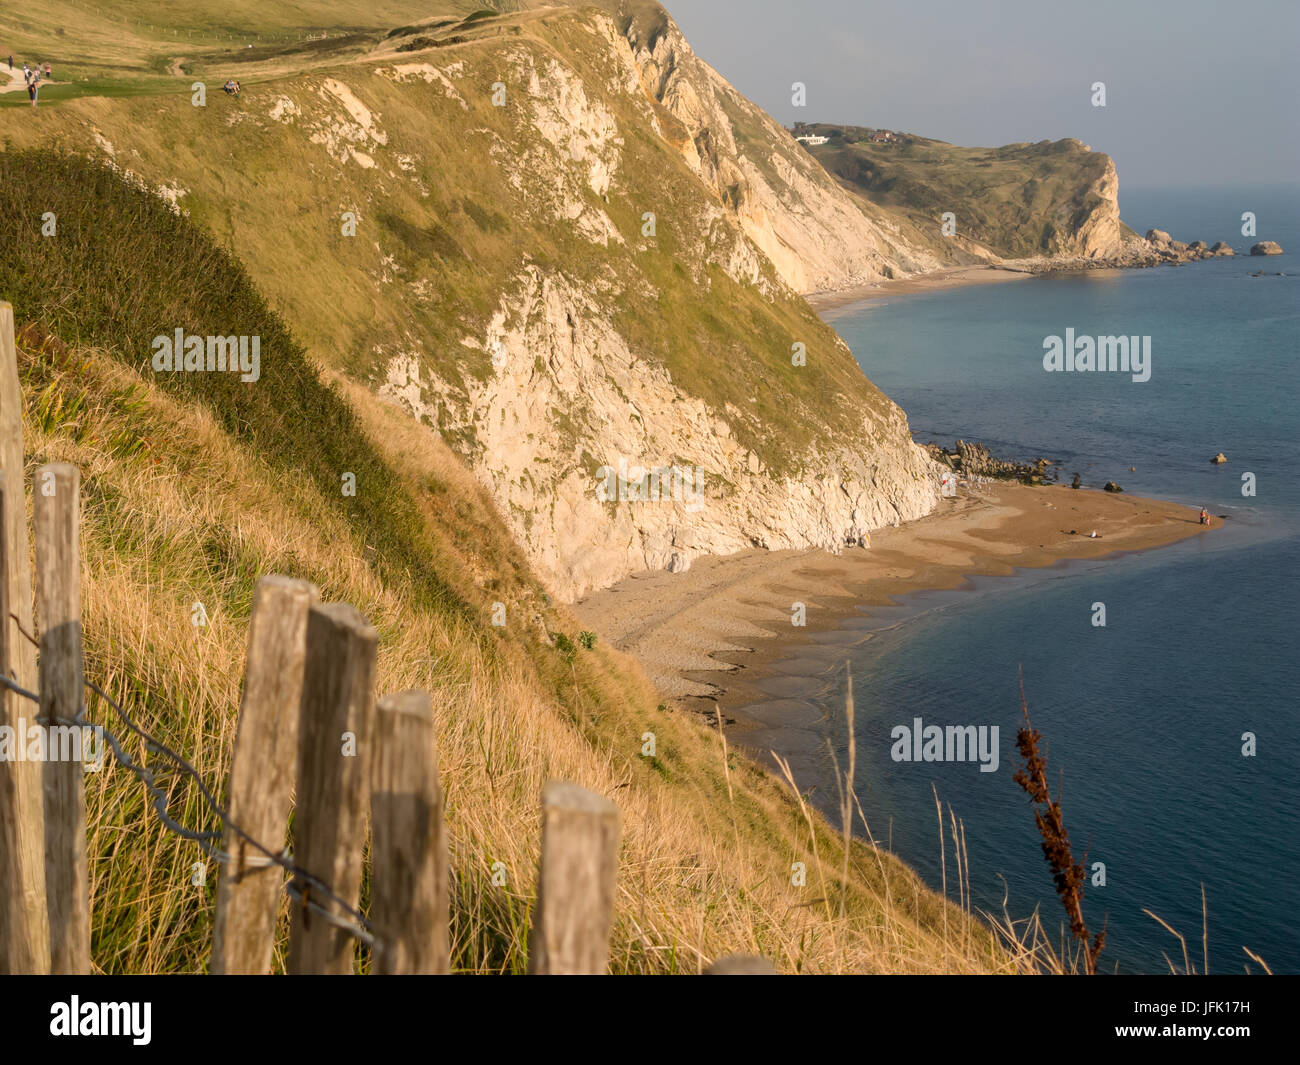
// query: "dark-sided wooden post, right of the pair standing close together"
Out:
[333,737]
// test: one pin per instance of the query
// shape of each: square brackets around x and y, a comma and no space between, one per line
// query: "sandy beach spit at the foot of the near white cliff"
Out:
[705,635]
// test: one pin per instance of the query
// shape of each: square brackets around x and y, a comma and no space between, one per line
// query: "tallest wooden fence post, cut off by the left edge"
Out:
[24,924]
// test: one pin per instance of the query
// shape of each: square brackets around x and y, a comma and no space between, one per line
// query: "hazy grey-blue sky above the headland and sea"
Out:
[1198,93]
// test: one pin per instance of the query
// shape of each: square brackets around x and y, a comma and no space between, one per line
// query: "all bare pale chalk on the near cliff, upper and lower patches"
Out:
[604,464]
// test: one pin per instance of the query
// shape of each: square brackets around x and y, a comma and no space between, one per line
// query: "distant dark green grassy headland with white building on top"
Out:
[1019,201]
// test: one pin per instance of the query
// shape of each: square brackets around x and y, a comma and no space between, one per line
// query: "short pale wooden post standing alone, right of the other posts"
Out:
[575,884]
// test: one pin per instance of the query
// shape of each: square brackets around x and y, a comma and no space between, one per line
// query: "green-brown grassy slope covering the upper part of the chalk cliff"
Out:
[450,215]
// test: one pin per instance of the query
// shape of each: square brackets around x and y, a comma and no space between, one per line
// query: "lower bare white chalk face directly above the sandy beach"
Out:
[571,427]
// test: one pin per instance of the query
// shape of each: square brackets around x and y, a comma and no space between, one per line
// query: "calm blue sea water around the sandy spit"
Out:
[1145,717]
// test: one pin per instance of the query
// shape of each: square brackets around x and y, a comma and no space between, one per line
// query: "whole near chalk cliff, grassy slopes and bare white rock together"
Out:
[574,249]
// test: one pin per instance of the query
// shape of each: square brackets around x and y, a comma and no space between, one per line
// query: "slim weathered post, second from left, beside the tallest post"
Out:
[58,510]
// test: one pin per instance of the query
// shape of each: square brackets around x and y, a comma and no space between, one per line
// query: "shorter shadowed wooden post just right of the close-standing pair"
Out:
[409,846]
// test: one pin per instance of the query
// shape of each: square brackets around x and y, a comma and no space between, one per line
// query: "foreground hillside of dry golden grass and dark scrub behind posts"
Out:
[196,484]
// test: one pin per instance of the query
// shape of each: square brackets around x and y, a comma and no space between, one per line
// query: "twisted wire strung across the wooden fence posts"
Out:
[302,885]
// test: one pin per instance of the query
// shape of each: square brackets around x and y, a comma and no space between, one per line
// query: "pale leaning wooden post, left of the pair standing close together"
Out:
[263,770]
